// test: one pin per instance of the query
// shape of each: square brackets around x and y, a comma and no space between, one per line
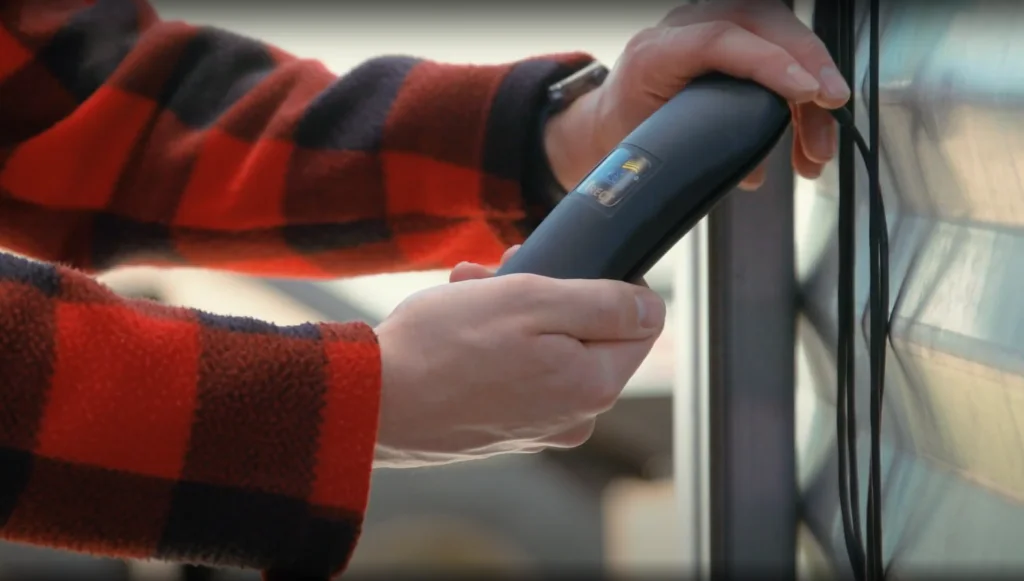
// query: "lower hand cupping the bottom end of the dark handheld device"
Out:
[516,364]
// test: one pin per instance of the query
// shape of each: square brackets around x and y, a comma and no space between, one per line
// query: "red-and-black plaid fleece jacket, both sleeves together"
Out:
[134,430]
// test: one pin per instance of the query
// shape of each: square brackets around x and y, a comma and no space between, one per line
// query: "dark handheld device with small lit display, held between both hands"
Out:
[658,184]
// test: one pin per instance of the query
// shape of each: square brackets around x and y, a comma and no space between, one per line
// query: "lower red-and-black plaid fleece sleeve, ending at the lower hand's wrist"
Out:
[134,430]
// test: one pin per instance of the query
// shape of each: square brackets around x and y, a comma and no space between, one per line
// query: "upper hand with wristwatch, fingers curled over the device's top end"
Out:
[761,40]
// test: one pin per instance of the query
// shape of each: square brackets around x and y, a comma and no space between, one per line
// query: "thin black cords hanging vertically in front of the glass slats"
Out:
[866,559]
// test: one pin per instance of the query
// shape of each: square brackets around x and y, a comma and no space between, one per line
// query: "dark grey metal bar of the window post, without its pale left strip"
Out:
[752,335]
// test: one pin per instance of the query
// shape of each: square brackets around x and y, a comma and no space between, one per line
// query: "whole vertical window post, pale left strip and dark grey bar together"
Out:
[735,398]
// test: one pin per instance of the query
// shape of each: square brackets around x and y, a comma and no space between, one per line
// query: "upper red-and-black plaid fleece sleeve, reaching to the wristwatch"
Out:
[161,143]
